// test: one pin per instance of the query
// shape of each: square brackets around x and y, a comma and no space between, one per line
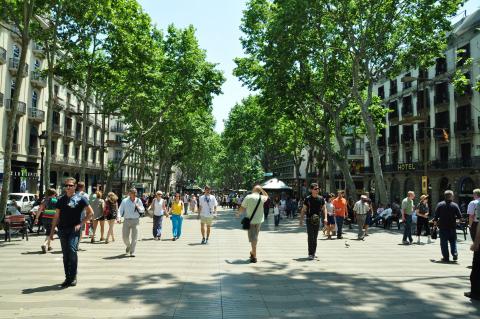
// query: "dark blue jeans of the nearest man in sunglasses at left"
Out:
[69,240]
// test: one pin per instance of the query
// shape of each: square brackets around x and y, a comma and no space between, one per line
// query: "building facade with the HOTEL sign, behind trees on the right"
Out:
[432,127]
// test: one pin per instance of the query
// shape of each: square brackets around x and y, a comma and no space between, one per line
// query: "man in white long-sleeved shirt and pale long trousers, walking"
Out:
[130,210]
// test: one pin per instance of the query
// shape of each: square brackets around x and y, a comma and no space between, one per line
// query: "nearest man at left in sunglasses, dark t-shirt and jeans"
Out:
[69,219]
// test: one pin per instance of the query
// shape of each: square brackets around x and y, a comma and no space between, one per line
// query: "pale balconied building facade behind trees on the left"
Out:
[67,126]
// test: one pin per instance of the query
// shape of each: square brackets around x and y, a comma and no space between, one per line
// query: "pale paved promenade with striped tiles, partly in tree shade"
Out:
[377,278]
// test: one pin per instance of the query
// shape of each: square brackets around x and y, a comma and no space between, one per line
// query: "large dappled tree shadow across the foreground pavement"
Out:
[270,289]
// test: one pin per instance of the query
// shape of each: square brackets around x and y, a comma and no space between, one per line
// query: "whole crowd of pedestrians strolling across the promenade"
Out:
[66,215]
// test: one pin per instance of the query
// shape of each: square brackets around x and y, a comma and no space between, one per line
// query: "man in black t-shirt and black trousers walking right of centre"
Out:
[314,208]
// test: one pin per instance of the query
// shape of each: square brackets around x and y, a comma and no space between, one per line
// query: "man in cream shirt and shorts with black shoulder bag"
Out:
[253,205]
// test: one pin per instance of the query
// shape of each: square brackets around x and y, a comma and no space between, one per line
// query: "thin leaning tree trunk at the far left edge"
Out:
[12,117]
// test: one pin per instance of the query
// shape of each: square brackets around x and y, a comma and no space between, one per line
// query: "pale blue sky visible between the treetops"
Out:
[217,23]
